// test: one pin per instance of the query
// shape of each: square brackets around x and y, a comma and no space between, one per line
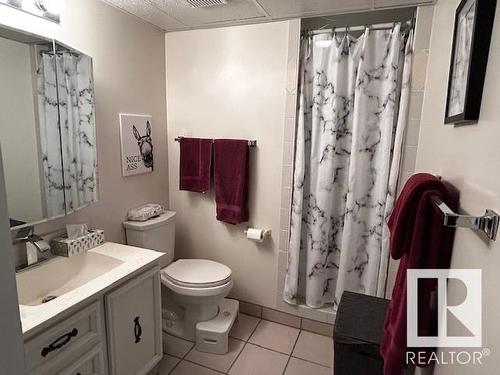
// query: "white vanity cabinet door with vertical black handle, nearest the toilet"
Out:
[133,314]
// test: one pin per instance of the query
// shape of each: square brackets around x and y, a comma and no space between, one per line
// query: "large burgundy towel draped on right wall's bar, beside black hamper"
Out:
[420,240]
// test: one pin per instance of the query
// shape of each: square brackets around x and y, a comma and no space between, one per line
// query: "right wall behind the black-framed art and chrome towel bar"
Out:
[468,157]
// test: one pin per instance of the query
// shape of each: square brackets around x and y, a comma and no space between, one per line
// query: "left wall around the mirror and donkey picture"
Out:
[129,73]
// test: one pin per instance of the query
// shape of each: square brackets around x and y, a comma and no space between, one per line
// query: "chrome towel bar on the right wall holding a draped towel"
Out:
[488,223]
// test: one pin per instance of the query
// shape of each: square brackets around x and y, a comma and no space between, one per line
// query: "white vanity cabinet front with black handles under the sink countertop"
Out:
[119,333]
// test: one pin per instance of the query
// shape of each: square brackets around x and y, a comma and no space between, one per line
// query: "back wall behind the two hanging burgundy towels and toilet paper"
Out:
[223,83]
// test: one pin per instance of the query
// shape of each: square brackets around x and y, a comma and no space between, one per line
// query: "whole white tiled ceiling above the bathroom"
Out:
[176,15]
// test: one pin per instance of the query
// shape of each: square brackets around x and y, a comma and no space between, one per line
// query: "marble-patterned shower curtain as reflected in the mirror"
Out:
[71,145]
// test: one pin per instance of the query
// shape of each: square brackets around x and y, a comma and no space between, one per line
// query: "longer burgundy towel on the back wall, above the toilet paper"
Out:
[231,180]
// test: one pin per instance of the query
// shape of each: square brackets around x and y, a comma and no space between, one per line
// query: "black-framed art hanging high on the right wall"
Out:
[469,58]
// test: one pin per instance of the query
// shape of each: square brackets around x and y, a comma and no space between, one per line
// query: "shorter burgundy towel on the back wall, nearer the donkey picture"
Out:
[195,164]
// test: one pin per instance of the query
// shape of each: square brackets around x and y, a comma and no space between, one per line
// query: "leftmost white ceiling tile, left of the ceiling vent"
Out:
[149,13]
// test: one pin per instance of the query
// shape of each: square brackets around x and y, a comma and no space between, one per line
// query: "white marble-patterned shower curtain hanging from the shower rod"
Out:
[353,104]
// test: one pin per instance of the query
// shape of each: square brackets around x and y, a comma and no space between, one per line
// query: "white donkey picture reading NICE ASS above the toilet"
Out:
[136,144]
